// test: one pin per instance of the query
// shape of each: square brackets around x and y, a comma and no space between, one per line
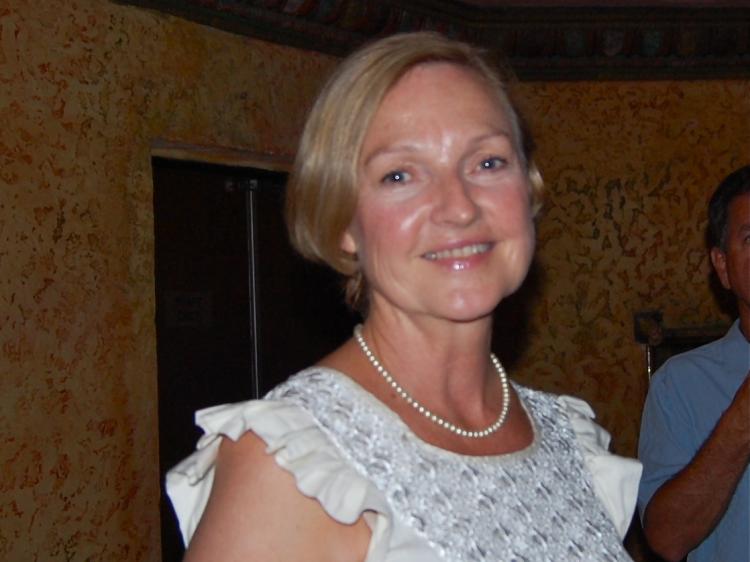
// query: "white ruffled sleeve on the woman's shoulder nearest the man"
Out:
[615,478]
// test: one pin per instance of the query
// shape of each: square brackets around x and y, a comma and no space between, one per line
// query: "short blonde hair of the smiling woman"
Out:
[322,189]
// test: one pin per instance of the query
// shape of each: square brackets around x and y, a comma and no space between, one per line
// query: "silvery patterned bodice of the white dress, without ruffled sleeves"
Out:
[536,504]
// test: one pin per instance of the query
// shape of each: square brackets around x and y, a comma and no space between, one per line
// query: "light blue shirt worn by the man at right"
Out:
[688,395]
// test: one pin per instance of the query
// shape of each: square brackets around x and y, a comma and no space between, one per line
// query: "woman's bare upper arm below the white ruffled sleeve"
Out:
[256,512]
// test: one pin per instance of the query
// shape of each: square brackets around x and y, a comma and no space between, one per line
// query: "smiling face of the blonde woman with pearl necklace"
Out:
[443,225]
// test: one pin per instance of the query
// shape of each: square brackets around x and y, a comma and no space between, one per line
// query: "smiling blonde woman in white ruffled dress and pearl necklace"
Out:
[407,443]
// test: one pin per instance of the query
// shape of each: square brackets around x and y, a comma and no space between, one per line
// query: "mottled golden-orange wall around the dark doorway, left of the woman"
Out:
[85,88]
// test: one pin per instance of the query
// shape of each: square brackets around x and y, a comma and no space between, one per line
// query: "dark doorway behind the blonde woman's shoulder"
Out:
[237,311]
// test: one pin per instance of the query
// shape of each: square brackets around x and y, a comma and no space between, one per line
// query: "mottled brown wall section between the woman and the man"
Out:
[629,169]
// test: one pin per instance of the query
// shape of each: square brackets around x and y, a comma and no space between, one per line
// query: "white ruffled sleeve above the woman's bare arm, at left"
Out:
[300,447]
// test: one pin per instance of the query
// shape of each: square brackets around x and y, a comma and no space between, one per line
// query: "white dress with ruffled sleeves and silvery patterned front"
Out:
[357,458]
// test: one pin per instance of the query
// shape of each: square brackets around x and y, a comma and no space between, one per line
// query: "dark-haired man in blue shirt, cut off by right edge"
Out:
[694,498]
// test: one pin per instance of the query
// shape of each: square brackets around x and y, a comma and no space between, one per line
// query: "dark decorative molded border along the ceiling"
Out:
[540,43]
